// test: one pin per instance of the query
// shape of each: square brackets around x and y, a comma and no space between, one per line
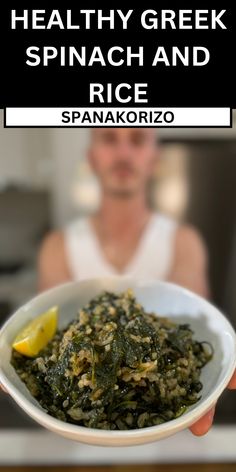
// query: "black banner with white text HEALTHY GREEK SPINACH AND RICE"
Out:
[166,56]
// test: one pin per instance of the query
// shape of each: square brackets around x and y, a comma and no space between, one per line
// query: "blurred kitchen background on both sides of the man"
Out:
[45,181]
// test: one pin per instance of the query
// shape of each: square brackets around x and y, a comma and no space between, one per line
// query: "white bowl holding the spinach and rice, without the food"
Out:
[163,298]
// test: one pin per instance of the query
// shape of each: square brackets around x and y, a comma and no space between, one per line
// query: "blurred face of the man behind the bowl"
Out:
[123,159]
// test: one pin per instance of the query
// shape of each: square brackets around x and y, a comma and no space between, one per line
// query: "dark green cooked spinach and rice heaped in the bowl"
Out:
[116,367]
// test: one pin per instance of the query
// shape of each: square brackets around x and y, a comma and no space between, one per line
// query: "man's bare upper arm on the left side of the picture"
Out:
[52,264]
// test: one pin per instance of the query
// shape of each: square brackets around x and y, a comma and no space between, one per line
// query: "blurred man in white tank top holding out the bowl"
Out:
[124,236]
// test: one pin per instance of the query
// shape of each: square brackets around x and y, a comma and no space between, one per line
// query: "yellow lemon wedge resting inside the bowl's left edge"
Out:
[37,334]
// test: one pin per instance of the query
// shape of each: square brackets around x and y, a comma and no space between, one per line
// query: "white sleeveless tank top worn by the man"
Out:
[153,257]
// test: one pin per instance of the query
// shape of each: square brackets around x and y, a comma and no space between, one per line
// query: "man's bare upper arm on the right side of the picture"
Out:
[190,261]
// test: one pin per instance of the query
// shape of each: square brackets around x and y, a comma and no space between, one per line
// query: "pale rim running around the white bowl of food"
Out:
[167,428]
